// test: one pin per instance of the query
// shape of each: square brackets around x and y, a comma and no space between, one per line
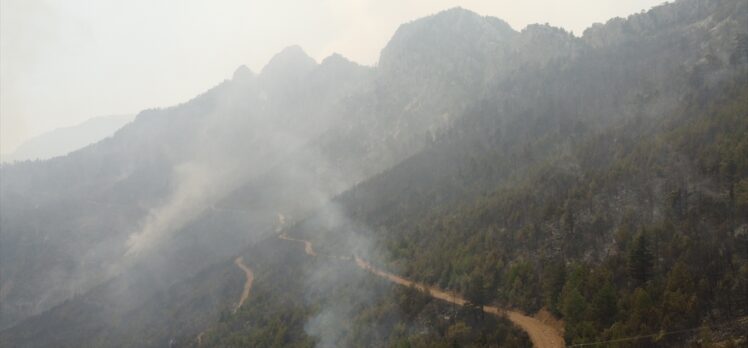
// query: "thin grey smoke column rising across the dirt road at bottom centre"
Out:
[335,283]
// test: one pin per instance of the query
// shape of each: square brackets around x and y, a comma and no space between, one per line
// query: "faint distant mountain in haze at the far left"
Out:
[62,141]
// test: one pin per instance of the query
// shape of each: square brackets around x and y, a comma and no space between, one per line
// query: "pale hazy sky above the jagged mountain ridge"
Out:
[65,61]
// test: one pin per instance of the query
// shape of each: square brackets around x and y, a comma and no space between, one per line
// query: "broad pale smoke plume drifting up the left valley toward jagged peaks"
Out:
[259,137]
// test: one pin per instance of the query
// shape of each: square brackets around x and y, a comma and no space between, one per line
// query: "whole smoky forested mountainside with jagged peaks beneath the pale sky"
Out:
[598,179]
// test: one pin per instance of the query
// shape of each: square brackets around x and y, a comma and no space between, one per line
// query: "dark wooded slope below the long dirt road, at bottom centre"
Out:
[346,307]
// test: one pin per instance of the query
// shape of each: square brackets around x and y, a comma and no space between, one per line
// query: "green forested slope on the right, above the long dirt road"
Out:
[640,230]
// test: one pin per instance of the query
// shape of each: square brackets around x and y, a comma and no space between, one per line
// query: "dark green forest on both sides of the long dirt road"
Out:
[663,201]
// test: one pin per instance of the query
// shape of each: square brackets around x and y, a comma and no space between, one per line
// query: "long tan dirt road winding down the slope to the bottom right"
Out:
[541,334]
